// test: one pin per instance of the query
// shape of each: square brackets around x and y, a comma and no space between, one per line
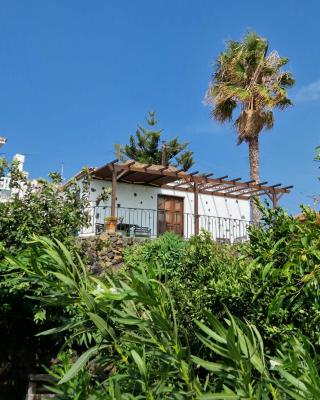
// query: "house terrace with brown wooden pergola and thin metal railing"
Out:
[152,222]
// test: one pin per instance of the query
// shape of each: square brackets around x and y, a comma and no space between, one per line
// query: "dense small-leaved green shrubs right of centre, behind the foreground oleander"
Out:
[272,281]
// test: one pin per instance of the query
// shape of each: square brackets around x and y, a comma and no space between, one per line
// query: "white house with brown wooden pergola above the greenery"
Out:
[153,199]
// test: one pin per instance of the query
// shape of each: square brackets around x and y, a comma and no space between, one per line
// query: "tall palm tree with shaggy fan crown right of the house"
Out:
[251,82]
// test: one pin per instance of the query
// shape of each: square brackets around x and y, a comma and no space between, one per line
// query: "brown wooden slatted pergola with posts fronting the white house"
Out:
[169,177]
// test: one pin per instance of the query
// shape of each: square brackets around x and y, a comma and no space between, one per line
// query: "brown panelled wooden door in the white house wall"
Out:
[170,214]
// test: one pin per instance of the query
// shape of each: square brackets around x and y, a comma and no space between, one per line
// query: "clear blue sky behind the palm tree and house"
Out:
[78,76]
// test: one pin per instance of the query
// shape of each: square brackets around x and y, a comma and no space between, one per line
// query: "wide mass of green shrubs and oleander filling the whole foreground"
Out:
[182,320]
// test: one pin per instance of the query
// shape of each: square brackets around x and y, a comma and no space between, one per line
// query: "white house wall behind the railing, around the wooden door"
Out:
[137,204]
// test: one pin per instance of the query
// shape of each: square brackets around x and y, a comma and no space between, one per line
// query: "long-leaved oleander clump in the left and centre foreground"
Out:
[130,318]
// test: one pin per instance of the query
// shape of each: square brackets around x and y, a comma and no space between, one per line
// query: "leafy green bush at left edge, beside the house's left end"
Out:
[41,207]
